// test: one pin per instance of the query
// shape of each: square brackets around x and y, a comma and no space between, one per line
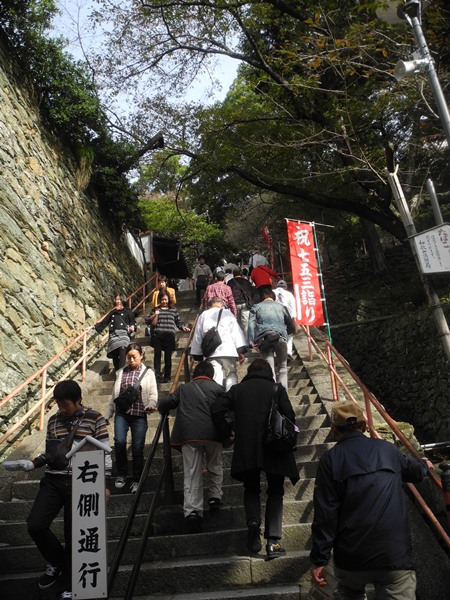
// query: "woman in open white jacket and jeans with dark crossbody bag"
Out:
[133,418]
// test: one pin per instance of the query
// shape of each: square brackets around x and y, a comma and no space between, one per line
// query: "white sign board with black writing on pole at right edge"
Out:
[433,249]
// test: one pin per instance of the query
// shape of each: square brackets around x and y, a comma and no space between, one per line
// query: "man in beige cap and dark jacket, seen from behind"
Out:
[360,511]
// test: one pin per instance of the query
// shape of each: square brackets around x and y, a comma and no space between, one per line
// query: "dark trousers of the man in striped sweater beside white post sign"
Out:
[55,492]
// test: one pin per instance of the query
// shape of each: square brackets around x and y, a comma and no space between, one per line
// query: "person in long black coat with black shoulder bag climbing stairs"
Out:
[251,402]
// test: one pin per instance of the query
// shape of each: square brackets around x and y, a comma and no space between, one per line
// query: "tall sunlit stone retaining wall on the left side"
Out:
[61,263]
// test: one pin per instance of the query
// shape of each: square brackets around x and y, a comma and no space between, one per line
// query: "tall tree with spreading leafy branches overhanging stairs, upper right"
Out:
[315,111]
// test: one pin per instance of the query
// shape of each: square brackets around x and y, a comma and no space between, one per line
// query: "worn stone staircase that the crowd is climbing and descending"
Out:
[205,566]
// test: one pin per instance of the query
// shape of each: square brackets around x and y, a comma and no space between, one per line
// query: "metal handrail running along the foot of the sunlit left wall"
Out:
[87,350]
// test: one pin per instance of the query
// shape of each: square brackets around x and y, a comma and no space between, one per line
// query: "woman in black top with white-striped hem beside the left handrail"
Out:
[122,325]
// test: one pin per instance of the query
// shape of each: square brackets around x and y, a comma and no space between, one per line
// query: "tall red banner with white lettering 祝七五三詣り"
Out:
[305,274]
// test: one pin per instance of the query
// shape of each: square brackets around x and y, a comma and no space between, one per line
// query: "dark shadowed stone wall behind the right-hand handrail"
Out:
[402,362]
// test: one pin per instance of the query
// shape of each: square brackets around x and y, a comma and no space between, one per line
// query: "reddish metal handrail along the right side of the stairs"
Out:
[370,400]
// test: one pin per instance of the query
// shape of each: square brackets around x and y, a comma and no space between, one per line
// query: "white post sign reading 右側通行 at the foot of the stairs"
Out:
[89,540]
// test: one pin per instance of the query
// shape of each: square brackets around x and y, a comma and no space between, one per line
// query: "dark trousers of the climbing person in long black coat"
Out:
[274,504]
